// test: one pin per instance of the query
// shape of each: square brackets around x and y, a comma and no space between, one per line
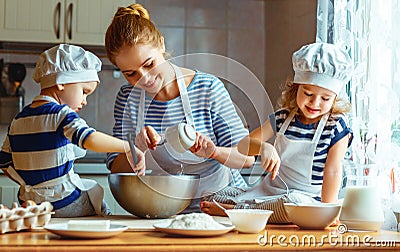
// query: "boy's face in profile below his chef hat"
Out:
[75,94]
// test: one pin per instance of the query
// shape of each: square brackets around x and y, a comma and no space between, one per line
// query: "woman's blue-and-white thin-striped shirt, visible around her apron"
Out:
[212,110]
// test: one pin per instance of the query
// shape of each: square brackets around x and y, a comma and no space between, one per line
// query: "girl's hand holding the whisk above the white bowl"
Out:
[270,160]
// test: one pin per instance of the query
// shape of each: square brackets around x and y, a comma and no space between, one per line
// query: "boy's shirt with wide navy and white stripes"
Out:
[41,145]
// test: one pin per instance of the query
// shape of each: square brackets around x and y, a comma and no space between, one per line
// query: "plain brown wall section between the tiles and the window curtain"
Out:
[289,24]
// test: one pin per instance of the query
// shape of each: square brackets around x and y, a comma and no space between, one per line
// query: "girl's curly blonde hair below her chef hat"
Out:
[289,95]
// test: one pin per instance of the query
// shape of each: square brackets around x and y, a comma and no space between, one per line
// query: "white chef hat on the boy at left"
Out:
[63,64]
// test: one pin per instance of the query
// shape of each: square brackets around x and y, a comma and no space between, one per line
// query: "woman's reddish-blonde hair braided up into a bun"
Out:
[131,25]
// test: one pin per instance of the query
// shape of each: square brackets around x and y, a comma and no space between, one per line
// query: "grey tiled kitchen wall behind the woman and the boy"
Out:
[231,28]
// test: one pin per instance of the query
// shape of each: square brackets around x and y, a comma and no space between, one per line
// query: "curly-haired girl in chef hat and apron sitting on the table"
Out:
[312,136]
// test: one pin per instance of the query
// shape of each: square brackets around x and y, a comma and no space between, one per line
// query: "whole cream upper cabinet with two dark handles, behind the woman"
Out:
[57,21]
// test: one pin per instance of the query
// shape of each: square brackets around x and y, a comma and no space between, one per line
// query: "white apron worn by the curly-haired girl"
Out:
[295,172]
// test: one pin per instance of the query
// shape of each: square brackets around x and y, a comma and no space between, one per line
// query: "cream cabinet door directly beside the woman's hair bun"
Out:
[86,21]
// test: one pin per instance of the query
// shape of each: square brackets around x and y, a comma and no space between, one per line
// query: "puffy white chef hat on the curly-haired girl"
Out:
[322,64]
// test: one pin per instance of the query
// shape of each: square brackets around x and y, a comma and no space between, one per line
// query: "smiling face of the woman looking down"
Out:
[143,65]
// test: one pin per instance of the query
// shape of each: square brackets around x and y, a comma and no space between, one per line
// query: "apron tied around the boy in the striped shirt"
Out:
[52,190]
